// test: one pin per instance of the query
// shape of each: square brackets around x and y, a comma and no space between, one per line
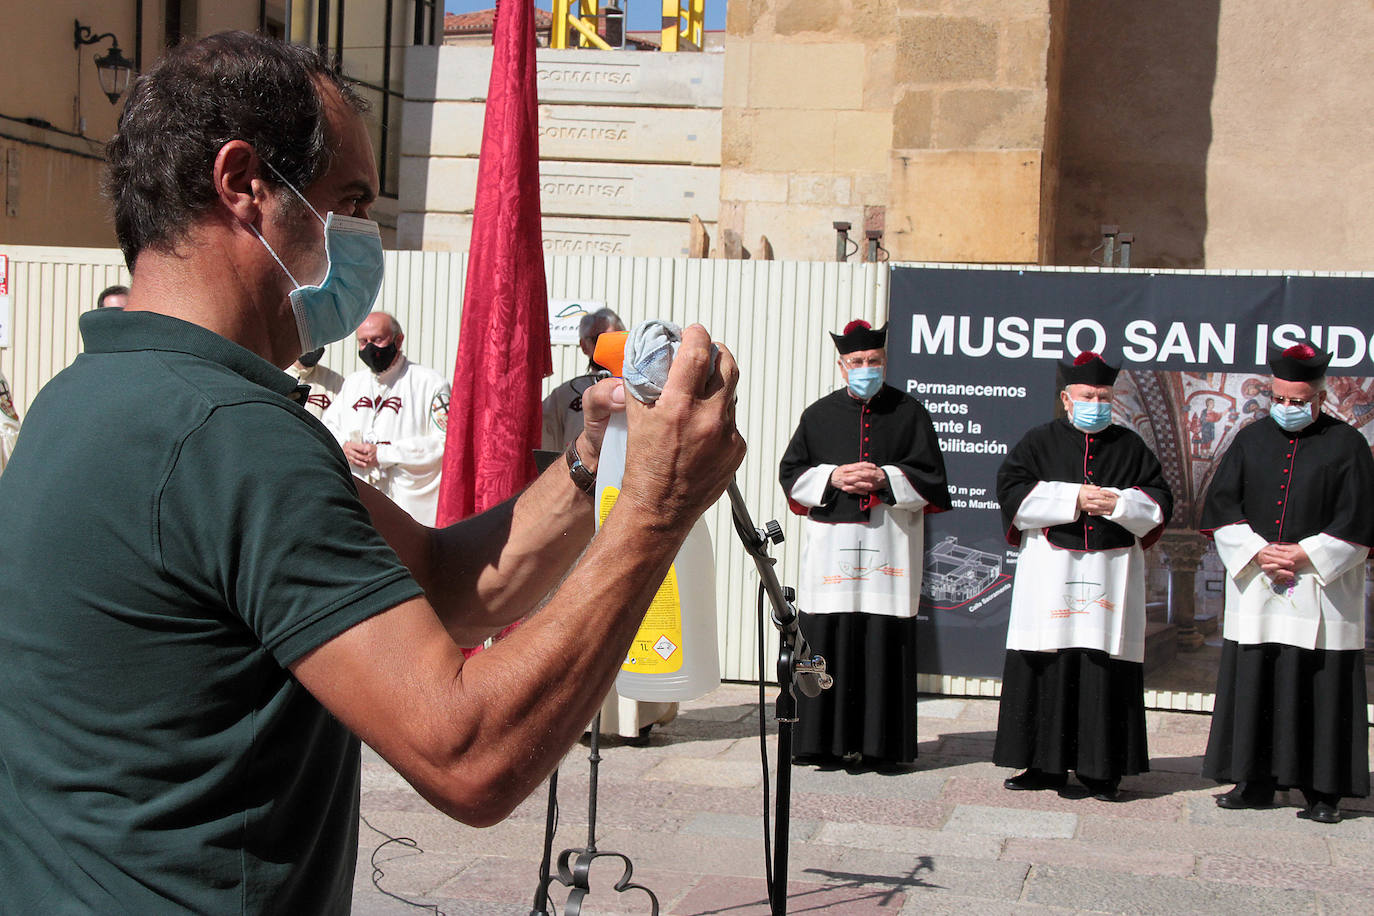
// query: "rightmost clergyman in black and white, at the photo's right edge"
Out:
[1292,513]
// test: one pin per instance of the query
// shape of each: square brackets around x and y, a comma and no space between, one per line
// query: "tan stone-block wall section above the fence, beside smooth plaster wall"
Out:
[924,119]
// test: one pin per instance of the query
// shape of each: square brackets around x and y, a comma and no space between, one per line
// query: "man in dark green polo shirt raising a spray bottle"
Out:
[201,610]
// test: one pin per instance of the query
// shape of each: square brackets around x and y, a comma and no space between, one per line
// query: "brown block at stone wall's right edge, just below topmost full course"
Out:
[990,120]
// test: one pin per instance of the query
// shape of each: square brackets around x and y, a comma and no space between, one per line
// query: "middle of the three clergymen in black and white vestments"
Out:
[1083,499]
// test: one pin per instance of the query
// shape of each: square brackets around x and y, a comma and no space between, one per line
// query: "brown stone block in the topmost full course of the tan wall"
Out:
[946,50]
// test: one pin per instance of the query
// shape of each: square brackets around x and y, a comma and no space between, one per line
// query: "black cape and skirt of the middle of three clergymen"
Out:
[1077,709]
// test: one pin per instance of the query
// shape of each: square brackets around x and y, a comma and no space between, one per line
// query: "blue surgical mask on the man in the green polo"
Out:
[339,306]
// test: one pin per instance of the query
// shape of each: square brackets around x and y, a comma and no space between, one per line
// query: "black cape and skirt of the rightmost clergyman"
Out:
[1288,715]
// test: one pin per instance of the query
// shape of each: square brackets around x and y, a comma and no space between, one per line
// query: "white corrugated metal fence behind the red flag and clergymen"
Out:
[773,315]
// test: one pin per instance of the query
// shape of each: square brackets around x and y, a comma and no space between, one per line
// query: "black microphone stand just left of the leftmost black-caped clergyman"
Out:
[796,668]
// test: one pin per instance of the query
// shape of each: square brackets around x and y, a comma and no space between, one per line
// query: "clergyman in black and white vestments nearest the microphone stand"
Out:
[864,468]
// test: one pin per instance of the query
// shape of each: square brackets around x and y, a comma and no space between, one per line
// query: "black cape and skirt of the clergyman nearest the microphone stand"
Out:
[872,709]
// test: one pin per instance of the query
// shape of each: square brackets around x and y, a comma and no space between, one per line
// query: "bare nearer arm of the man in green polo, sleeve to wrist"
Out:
[476,737]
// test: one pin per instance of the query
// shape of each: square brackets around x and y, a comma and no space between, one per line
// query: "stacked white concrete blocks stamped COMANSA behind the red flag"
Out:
[630,149]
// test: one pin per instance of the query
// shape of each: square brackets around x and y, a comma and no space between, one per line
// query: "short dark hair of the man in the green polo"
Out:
[233,86]
